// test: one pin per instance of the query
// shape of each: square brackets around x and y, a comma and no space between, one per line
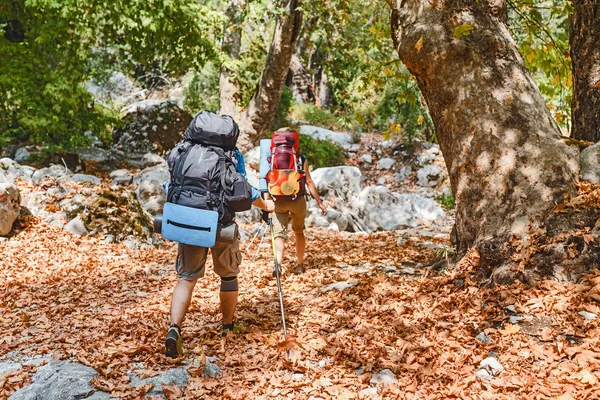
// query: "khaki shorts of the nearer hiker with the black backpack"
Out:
[191,260]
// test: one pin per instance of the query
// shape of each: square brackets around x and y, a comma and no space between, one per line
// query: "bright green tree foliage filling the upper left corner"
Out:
[43,71]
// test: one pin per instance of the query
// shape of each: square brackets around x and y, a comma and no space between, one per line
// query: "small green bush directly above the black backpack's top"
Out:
[202,91]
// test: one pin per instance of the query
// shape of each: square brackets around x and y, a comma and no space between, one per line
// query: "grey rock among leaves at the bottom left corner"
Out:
[59,380]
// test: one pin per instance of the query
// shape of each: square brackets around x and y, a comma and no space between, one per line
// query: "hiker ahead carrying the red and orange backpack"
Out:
[290,198]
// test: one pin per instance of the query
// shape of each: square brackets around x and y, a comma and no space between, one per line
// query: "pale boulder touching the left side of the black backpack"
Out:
[150,191]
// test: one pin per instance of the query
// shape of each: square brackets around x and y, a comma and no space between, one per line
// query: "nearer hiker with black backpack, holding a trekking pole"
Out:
[201,169]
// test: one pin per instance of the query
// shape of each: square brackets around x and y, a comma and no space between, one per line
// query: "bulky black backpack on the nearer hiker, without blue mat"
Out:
[204,168]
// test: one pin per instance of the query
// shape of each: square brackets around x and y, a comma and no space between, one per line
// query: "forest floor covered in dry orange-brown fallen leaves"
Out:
[106,306]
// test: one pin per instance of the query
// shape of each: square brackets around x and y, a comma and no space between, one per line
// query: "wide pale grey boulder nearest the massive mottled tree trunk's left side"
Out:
[381,209]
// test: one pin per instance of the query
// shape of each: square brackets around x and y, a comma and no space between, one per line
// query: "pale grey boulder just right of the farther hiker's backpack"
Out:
[343,182]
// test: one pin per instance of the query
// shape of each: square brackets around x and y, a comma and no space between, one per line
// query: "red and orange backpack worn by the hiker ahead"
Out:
[286,178]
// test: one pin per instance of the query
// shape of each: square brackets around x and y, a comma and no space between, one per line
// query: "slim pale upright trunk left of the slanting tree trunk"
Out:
[232,39]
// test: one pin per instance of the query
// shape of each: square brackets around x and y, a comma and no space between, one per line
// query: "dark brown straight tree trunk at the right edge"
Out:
[585,55]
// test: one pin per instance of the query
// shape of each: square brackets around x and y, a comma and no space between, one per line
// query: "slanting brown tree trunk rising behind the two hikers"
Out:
[256,120]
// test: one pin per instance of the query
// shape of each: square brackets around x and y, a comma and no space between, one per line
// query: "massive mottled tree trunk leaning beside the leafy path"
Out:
[508,166]
